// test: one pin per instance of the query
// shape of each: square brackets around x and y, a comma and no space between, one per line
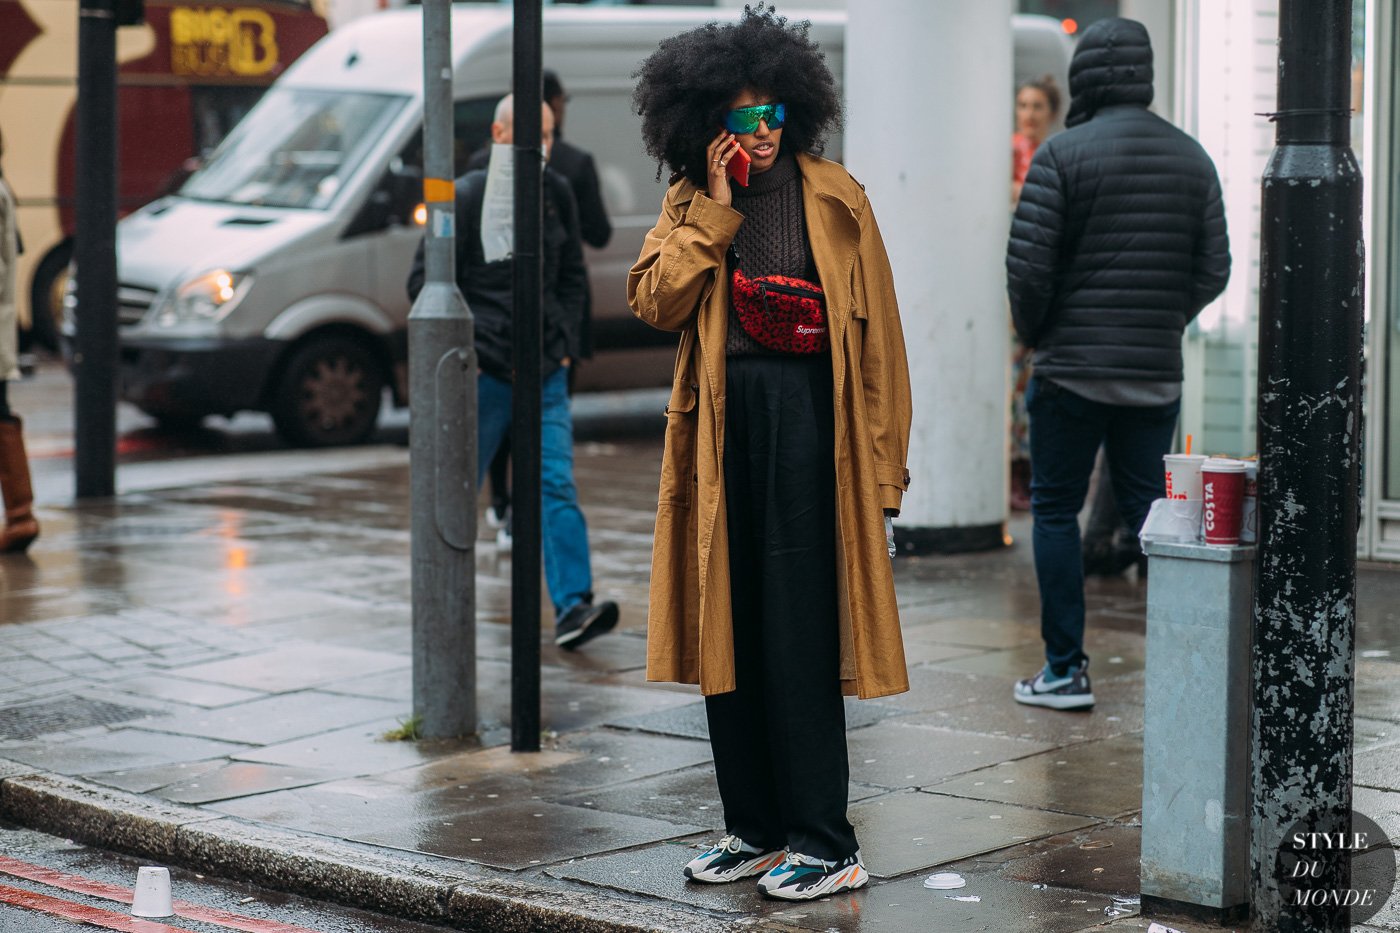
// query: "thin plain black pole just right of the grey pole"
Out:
[526,415]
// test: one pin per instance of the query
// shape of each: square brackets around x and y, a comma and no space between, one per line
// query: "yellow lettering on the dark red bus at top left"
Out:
[212,41]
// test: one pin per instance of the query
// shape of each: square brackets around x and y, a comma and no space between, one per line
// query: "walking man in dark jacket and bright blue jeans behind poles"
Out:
[489,292]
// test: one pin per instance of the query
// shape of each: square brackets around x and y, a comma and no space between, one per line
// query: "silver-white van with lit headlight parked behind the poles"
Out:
[275,279]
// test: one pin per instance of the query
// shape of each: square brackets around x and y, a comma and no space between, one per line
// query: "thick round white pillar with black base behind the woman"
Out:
[929,100]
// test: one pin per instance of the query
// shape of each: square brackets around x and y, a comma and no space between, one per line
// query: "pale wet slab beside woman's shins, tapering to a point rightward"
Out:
[905,756]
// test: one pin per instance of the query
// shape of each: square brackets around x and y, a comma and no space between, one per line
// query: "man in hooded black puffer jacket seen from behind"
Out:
[1118,244]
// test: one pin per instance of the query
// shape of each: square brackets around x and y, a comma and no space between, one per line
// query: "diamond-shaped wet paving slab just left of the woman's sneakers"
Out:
[524,834]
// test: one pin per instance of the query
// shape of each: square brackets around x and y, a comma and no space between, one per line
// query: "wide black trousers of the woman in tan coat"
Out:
[779,740]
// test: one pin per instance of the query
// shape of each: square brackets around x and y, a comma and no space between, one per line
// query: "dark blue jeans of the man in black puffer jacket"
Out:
[1066,435]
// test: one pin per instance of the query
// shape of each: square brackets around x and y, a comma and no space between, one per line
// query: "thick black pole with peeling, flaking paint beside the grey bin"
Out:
[1310,432]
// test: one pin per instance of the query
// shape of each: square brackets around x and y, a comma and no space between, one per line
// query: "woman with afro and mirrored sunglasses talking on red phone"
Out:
[786,441]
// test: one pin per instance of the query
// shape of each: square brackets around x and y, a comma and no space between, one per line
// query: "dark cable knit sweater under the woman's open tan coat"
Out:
[772,240]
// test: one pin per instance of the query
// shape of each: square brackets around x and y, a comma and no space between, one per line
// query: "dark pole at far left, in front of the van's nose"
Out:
[94,359]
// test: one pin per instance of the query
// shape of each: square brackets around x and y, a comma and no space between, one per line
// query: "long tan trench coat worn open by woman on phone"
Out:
[673,286]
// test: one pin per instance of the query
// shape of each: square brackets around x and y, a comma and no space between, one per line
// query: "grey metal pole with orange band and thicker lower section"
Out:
[443,438]
